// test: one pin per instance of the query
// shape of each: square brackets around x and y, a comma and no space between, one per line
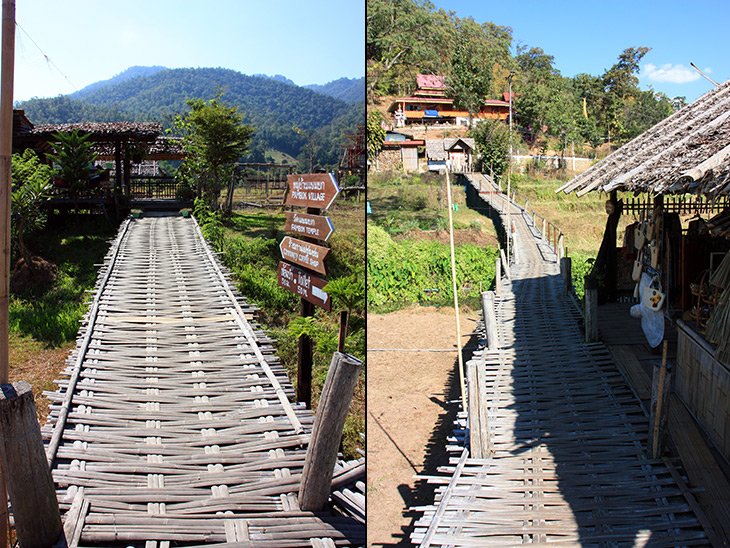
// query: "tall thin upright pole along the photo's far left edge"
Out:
[7,62]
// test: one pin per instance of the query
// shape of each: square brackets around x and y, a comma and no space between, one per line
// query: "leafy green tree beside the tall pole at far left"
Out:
[32,183]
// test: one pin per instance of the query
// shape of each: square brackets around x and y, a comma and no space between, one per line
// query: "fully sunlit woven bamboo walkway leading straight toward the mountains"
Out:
[172,425]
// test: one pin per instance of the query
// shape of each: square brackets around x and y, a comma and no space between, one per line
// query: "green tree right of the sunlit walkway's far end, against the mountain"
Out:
[217,138]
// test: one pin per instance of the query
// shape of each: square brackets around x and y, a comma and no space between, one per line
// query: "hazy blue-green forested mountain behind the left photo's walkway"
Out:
[286,118]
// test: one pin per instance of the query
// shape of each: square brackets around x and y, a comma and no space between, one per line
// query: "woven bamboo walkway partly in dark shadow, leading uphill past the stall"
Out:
[569,466]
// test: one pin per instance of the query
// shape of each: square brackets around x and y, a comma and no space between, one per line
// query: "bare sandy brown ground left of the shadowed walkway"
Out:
[409,413]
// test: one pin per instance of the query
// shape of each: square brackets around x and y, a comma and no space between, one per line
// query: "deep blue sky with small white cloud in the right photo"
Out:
[588,36]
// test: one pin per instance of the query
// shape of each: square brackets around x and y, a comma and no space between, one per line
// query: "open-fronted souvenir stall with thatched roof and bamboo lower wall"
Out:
[675,180]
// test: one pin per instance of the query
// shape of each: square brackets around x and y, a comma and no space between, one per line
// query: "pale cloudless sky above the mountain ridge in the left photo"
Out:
[310,42]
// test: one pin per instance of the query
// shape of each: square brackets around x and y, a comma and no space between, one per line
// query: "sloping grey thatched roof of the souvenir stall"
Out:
[688,152]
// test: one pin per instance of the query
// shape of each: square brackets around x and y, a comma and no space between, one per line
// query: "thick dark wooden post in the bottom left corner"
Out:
[33,496]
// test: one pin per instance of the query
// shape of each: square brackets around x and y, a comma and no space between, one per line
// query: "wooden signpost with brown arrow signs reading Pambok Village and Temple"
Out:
[315,191]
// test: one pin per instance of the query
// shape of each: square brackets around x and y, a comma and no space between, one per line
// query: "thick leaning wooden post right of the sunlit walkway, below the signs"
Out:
[327,430]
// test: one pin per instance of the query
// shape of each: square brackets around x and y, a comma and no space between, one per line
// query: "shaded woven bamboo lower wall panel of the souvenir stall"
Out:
[703,383]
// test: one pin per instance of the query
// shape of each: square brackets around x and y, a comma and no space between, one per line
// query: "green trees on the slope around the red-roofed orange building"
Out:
[407,37]
